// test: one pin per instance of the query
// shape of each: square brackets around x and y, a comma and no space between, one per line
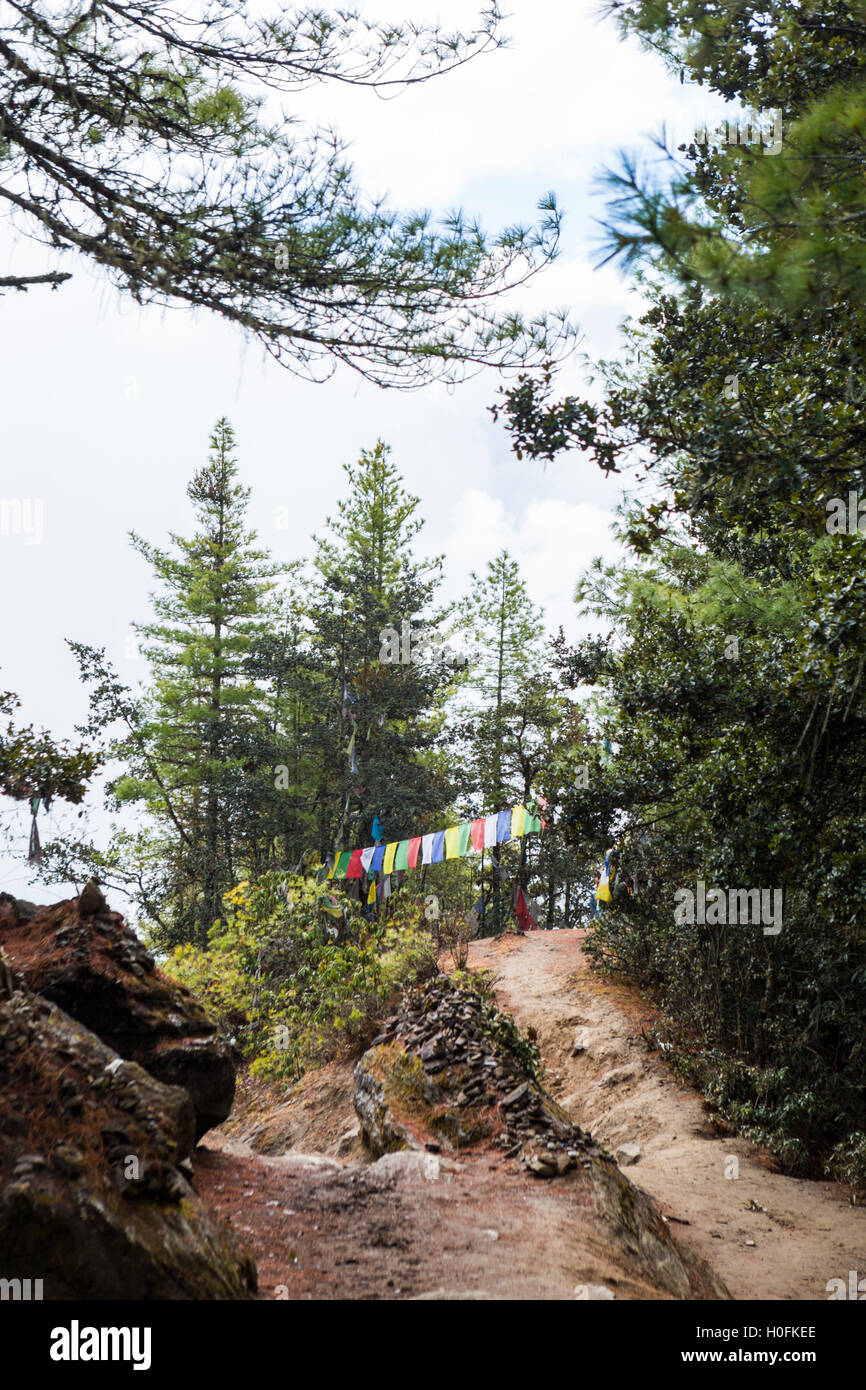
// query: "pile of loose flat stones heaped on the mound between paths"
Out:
[476,1061]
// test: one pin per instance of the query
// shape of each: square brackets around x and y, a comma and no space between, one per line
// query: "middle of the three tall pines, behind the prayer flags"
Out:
[376,707]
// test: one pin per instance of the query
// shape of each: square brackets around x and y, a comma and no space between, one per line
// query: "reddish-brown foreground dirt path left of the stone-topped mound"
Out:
[412,1227]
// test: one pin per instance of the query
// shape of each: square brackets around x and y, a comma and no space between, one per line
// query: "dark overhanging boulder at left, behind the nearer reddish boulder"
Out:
[84,958]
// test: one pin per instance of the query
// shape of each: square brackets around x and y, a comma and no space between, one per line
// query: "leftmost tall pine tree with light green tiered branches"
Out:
[190,760]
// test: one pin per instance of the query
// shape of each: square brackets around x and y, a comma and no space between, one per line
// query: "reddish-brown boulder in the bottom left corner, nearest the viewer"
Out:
[92,1197]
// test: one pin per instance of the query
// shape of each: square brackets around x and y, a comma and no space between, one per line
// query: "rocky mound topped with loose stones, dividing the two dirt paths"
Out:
[451,1072]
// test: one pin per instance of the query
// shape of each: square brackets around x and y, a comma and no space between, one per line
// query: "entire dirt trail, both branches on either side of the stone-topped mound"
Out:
[323,1223]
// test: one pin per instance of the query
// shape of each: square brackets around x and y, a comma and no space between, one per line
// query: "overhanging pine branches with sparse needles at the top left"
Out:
[148,140]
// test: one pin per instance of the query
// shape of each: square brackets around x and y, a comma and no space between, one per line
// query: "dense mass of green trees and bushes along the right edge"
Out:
[730,680]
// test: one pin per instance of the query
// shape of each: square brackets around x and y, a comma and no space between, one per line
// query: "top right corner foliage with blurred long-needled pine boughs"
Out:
[781,224]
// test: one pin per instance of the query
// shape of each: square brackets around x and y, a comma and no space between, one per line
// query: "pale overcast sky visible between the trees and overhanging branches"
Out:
[108,408]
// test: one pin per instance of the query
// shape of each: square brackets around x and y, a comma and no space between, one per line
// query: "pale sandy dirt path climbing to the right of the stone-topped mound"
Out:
[767,1235]
